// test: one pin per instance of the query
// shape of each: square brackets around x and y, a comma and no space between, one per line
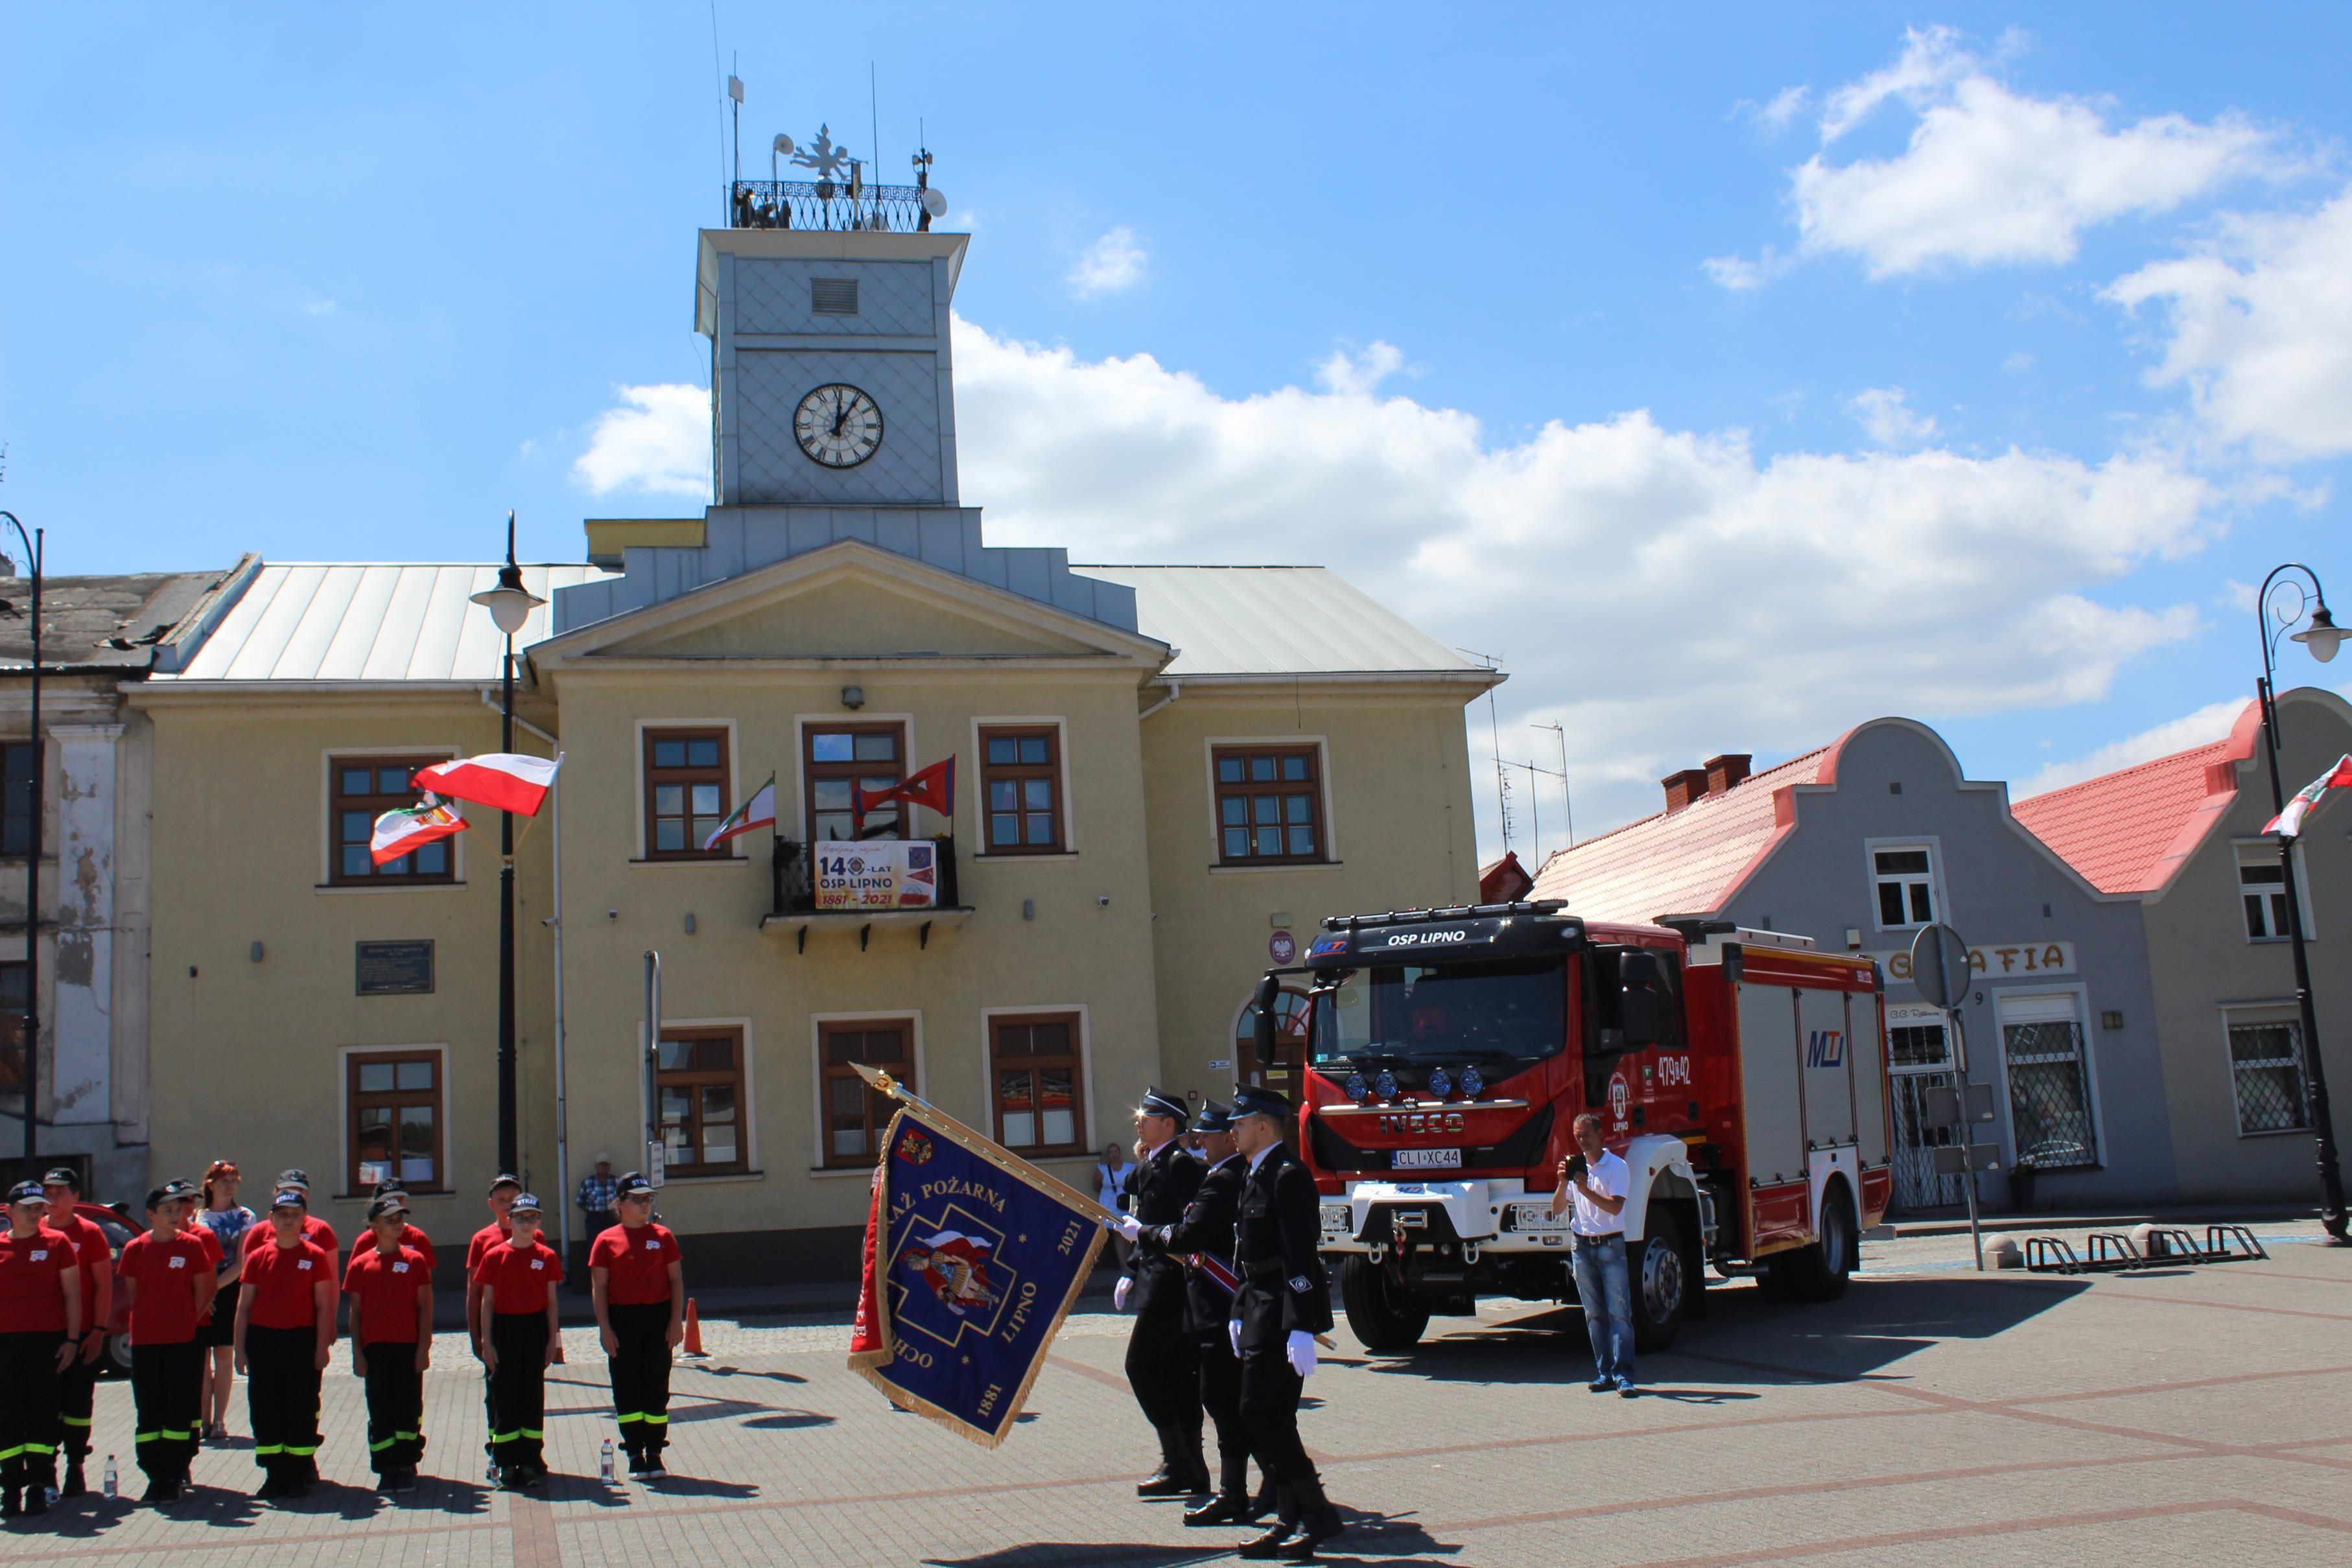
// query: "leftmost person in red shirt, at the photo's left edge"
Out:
[41,1318]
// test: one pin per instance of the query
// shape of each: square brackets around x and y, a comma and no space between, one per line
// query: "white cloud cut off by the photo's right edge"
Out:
[2261,330]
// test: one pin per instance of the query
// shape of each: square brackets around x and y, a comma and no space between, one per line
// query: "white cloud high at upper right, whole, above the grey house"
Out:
[1991,175]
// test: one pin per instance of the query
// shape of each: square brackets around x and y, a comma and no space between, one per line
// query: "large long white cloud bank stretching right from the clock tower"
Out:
[1664,594]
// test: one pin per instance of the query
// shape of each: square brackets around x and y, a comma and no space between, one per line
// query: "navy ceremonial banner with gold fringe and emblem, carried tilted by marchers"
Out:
[973,1259]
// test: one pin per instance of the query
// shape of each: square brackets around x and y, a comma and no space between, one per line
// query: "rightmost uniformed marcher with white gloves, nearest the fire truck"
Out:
[1283,1304]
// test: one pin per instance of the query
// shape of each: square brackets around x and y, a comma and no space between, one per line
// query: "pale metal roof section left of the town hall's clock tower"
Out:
[370,622]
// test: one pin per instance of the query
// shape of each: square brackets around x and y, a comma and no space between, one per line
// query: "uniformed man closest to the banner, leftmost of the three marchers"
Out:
[1161,1351]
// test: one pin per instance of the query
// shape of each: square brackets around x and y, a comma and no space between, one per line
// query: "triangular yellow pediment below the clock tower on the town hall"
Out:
[850,603]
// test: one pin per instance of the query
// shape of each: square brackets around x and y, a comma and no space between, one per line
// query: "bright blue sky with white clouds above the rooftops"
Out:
[1735,375]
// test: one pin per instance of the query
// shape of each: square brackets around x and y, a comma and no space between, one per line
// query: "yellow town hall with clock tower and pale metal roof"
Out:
[1161,772]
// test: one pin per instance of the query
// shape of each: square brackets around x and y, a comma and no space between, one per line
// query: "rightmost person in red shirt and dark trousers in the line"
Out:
[641,1313]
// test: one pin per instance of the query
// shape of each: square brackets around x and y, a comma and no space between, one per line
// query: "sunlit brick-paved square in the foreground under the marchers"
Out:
[1932,1416]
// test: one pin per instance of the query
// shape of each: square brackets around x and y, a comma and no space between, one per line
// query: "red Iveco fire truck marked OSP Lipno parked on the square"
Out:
[1739,1073]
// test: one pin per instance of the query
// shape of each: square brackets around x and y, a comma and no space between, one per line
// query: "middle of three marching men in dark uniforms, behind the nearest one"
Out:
[1203,1240]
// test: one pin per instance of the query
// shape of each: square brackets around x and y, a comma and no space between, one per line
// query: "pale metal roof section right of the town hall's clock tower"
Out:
[1278,622]
